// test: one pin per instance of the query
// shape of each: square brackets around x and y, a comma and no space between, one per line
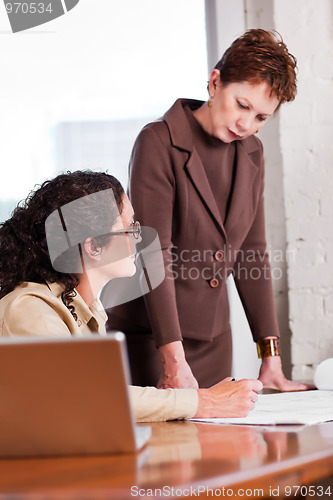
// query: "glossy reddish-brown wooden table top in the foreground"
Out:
[192,458]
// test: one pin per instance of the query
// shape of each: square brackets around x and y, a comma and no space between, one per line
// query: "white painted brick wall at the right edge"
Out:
[306,131]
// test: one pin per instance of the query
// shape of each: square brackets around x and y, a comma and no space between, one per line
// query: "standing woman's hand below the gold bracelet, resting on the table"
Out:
[272,377]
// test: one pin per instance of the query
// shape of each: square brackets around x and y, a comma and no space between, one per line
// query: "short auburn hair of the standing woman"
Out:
[260,56]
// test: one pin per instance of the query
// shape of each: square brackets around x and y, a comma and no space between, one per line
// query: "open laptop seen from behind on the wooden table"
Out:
[67,396]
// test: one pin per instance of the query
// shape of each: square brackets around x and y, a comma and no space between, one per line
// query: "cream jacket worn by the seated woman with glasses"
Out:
[37,309]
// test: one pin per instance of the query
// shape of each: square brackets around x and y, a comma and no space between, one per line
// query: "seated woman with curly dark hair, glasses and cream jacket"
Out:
[57,251]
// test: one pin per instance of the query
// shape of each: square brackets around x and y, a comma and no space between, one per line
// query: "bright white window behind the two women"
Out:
[76,91]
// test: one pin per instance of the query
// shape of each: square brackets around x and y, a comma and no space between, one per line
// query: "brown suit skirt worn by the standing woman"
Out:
[210,361]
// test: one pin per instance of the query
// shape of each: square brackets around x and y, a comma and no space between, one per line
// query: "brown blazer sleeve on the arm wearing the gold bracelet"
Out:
[252,273]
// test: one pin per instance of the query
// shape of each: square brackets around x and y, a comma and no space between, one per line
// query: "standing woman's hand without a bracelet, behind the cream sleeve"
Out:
[176,372]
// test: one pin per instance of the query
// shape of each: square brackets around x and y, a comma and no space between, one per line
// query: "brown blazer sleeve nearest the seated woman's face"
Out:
[152,186]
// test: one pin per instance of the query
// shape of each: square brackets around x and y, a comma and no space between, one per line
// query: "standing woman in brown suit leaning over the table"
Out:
[197,177]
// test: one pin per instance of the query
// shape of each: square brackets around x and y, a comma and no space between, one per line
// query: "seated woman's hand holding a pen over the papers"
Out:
[228,398]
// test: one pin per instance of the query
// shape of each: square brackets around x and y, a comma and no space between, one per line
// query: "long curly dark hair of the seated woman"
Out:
[24,254]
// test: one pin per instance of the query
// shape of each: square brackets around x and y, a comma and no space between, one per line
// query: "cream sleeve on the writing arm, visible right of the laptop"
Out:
[152,405]
